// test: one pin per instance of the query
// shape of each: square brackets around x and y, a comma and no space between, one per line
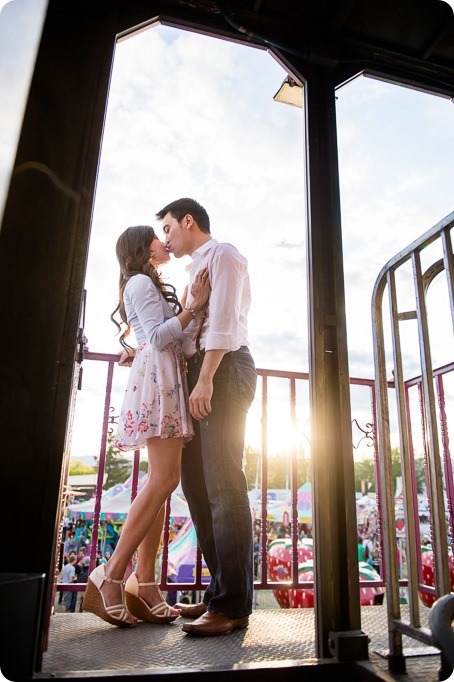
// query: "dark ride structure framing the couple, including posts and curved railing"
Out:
[48,208]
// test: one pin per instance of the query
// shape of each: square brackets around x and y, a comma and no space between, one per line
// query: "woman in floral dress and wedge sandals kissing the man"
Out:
[154,413]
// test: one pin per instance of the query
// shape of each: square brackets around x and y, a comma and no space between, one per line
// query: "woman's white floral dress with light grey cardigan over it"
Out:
[156,397]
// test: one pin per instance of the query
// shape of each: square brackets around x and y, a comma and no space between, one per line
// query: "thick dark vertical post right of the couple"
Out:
[335,534]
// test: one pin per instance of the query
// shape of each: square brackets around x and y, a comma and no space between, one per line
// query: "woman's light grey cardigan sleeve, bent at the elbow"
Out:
[146,300]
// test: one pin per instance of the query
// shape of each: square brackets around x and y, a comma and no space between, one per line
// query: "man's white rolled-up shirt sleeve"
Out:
[227,272]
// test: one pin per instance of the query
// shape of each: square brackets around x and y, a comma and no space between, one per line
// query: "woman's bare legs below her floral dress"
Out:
[145,517]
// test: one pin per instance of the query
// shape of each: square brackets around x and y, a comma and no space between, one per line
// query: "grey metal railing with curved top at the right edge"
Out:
[408,266]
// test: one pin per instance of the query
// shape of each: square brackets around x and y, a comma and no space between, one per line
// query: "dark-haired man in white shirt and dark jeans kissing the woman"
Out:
[222,381]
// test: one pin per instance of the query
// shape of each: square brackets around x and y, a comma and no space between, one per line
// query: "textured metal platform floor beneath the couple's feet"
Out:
[80,642]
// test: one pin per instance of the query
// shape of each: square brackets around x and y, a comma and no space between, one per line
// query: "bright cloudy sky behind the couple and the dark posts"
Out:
[194,116]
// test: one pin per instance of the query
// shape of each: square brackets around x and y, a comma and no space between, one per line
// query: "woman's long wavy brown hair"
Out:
[133,254]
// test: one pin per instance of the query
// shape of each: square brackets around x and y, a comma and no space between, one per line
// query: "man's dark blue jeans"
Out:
[215,486]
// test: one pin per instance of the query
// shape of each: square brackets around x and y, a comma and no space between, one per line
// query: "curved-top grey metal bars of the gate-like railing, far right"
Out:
[429,431]
